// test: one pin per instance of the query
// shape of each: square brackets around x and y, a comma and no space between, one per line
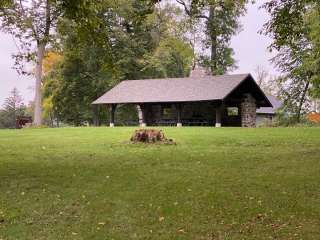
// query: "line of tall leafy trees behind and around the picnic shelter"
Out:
[82,48]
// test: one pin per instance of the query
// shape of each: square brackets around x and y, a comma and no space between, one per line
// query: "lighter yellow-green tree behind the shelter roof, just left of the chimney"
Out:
[173,54]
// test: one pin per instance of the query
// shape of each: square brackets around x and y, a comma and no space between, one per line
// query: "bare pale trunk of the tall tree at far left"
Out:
[38,96]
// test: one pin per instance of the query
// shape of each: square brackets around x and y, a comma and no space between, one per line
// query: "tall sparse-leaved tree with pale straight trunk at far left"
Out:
[32,24]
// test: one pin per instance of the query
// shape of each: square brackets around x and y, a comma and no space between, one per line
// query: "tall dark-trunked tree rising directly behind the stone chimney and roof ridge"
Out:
[221,18]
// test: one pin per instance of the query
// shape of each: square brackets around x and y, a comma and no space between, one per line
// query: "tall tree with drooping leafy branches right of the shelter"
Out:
[295,51]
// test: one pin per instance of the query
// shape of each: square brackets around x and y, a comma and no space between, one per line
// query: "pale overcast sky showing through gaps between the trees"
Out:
[249,46]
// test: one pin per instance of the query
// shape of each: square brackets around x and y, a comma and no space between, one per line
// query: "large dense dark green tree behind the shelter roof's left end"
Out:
[106,46]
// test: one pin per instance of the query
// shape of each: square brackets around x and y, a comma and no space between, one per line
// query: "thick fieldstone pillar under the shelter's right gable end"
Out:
[248,111]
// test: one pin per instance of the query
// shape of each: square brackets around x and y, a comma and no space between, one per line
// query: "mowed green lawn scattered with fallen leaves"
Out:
[228,183]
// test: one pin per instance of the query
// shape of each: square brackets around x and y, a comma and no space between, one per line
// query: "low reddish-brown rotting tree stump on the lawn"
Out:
[149,136]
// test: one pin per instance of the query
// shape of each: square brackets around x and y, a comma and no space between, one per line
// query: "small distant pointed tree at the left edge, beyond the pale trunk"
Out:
[12,108]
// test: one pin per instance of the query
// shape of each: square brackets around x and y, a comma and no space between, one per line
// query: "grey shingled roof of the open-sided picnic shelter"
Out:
[190,89]
